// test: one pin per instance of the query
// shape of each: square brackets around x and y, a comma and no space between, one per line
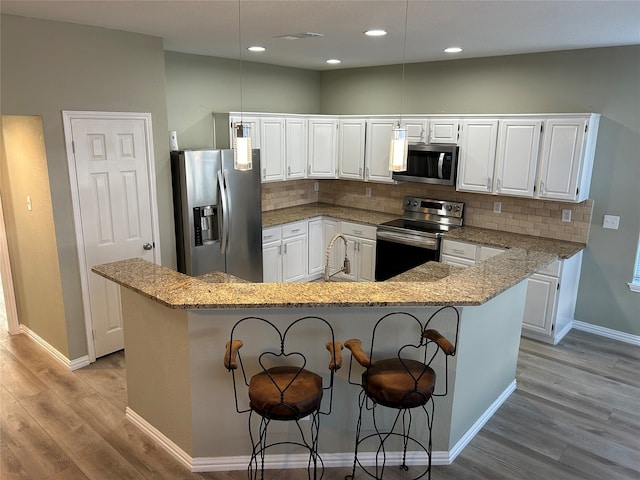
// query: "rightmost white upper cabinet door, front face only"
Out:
[561,159]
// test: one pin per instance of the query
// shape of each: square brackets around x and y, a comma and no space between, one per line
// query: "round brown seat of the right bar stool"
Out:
[399,383]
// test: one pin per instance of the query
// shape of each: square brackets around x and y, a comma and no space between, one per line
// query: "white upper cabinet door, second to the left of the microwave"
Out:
[351,135]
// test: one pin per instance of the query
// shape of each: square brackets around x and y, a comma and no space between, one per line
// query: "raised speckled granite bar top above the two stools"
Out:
[472,286]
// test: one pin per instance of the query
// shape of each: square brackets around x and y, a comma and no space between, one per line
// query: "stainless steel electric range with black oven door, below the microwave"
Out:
[405,243]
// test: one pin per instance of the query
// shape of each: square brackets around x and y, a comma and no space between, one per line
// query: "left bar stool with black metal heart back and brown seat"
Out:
[280,384]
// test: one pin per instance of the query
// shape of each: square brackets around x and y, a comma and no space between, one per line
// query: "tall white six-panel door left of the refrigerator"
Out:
[112,159]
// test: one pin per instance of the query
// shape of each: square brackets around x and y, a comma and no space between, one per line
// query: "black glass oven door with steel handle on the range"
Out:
[398,252]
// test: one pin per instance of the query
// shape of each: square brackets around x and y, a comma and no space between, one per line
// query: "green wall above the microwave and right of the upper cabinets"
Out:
[606,81]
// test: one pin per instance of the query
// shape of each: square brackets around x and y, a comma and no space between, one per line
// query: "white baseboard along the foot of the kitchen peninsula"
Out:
[240,462]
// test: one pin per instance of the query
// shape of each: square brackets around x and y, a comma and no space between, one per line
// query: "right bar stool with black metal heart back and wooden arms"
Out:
[403,379]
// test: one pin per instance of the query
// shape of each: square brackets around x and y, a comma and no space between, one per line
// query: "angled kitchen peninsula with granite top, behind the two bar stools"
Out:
[176,327]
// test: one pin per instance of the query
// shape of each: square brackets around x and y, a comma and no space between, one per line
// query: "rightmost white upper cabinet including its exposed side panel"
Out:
[566,162]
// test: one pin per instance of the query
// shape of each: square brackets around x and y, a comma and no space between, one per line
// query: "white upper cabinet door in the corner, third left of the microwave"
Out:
[322,148]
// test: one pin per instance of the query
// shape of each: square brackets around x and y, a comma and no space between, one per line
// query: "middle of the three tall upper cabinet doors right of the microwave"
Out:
[517,157]
